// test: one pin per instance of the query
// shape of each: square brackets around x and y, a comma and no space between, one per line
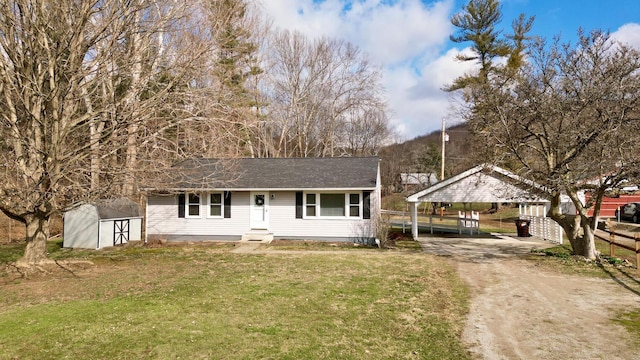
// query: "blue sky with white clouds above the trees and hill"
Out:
[409,40]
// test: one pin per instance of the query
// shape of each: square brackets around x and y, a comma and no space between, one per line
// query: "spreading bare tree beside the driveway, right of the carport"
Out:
[567,119]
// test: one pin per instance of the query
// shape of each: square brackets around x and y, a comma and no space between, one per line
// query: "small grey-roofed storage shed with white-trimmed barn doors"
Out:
[102,224]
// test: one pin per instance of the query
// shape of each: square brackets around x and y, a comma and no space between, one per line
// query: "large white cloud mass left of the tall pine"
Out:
[404,36]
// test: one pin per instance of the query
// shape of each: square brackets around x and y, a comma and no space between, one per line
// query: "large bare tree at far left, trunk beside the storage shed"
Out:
[78,82]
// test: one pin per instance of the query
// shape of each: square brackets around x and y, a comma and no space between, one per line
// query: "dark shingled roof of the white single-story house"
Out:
[276,173]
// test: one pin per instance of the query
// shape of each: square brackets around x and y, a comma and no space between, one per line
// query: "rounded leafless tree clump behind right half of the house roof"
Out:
[316,91]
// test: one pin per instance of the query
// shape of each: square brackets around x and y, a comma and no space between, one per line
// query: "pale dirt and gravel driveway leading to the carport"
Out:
[522,311]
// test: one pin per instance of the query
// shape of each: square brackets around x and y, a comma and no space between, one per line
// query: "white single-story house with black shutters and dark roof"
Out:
[330,199]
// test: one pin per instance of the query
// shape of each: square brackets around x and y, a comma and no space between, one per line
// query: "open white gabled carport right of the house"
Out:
[482,184]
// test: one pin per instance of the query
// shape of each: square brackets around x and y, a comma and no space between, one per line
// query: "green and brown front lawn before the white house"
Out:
[205,302]
